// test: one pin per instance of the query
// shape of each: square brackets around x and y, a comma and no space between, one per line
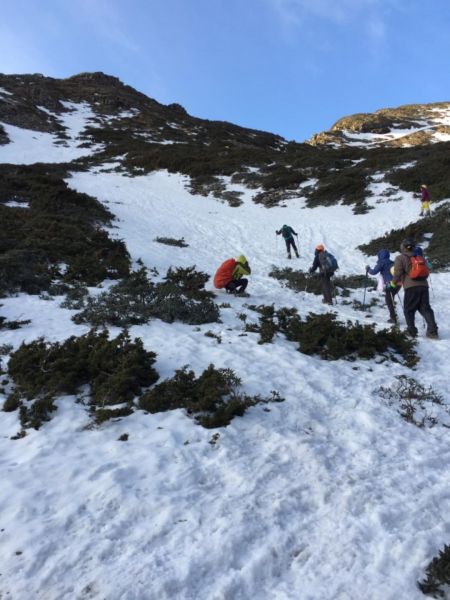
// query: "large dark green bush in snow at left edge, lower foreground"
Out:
[115,371]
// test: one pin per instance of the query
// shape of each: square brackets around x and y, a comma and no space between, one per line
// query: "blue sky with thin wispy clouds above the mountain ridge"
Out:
[291,67]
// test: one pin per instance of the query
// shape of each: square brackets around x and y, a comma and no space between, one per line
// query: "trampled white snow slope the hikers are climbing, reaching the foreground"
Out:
[329,496]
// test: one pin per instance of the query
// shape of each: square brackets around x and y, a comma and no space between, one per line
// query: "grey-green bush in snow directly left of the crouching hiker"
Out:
[136,299]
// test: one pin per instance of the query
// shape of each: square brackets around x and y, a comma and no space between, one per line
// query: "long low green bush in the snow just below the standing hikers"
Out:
[322,335]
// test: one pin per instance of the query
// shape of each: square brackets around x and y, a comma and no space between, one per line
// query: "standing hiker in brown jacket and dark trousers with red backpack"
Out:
[411,270]
